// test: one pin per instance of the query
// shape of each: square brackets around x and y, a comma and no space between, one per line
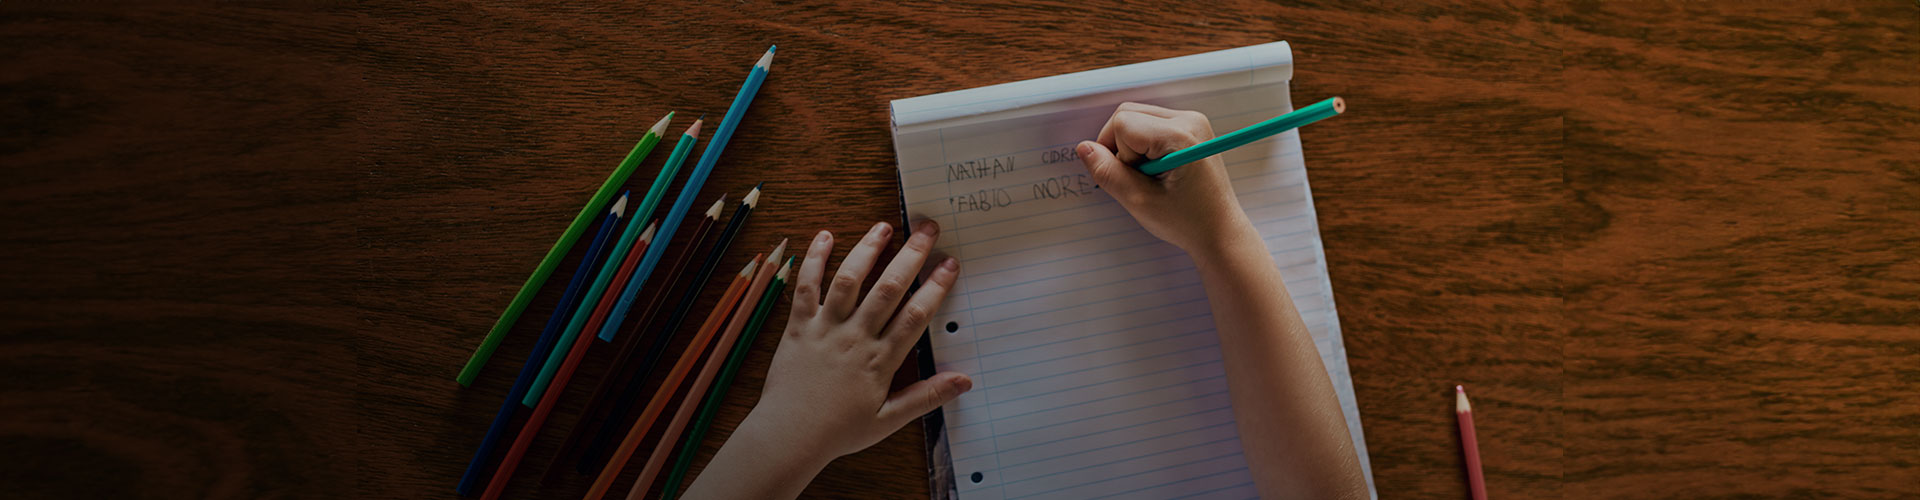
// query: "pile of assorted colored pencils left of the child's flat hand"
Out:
[612,276]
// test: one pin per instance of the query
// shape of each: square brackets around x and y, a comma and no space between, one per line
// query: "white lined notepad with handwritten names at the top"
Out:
[1097,372]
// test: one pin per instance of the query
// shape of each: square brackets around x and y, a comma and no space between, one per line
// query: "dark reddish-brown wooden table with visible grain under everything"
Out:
[1673,251]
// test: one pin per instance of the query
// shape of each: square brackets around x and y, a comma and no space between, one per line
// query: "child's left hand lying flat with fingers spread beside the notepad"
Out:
[827,391]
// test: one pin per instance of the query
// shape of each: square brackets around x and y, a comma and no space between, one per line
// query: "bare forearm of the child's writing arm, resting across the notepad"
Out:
[1289,418]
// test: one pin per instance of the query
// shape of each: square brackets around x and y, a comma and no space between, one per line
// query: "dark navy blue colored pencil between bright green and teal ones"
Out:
[548,336]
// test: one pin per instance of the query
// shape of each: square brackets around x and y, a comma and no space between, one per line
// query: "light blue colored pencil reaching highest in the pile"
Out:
[688,193]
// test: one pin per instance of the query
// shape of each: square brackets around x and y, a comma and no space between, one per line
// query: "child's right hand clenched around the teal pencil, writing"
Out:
[1191,207]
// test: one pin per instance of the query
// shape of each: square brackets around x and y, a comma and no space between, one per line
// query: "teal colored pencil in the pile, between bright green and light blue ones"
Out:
[613,264]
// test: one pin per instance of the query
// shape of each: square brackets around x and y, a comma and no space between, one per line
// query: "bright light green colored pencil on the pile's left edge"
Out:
[560,251]
